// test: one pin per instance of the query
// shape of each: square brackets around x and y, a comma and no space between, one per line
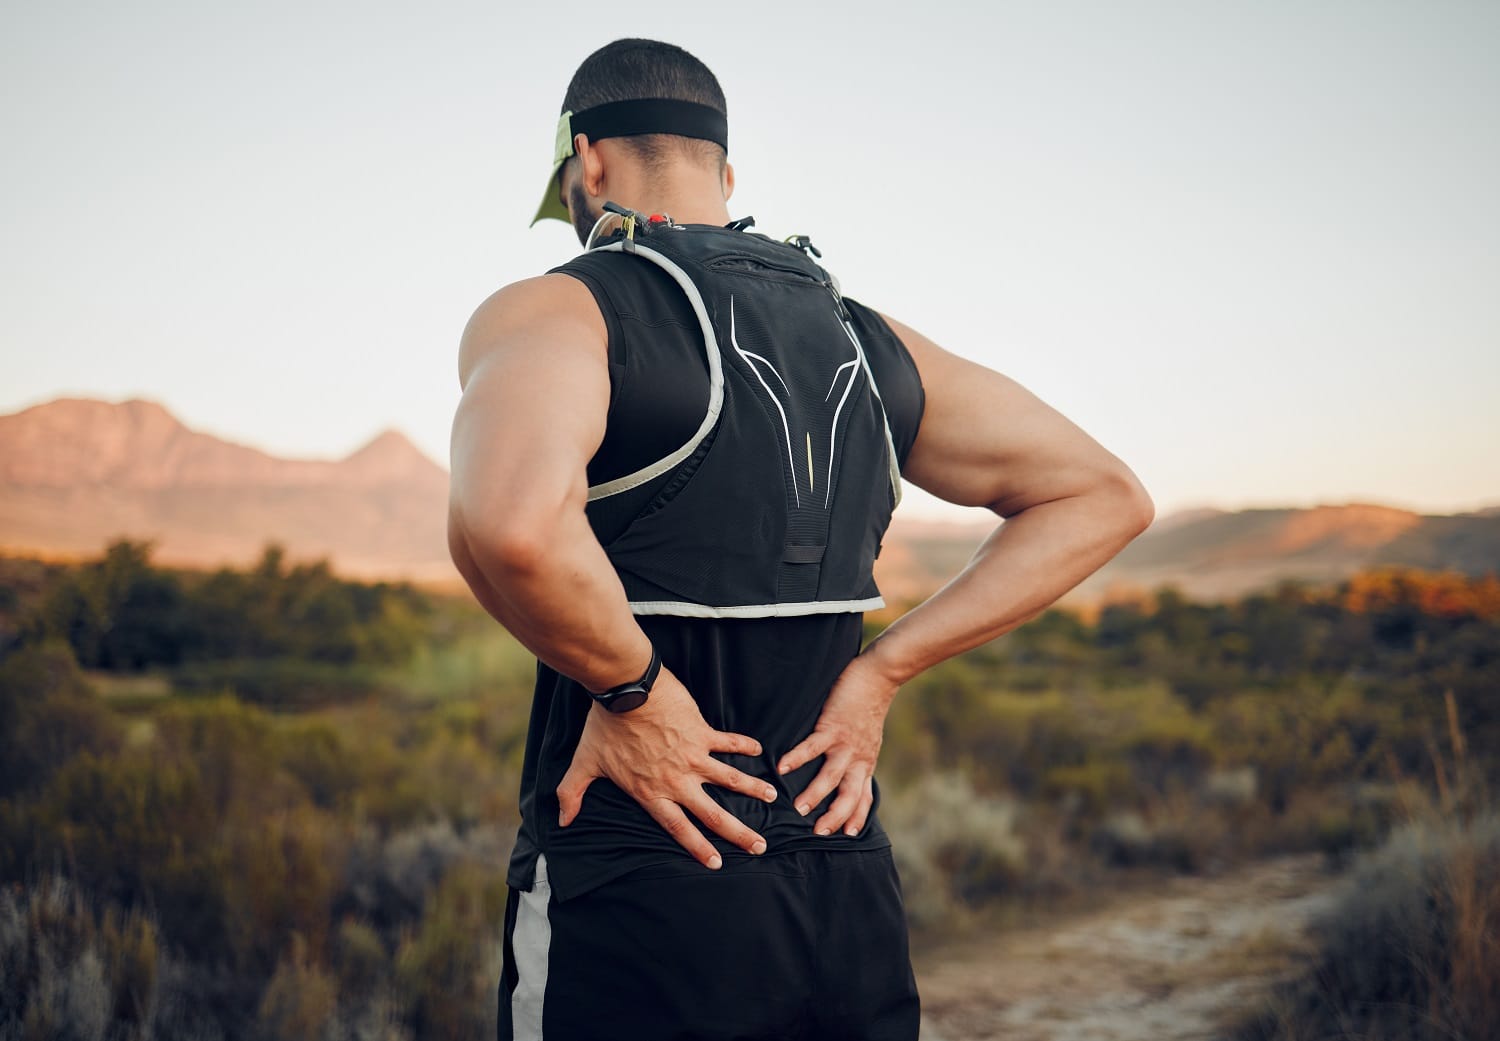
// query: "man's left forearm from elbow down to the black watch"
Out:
[559,595]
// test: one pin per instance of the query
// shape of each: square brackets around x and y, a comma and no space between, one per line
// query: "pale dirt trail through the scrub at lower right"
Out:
[1166,967]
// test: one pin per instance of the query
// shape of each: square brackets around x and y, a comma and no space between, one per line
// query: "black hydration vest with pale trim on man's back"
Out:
[779,502]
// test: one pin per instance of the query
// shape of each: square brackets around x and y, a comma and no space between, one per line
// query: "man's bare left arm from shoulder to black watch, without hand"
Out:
[536,392]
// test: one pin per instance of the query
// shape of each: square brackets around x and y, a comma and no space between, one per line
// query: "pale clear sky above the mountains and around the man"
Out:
[1252,248]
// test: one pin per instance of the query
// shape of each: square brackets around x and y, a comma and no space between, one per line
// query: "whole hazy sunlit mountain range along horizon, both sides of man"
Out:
[77,473]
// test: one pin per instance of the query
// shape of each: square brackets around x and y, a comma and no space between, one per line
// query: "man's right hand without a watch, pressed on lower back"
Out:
[850,733]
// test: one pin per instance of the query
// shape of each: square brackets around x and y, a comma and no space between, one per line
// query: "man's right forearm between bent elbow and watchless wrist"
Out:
[1024,568]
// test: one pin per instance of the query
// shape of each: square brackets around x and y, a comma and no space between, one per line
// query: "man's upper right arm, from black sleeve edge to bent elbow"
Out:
[989,442]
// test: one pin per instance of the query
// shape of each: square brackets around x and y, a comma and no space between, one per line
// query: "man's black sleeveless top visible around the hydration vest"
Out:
[766,676]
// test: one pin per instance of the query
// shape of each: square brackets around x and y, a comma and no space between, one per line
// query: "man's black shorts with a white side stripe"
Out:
[805,944]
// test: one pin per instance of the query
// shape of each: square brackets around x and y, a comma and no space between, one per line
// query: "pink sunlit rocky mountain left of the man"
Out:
[77,473]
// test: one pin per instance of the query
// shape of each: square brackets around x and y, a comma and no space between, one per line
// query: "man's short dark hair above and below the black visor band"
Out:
[635,68]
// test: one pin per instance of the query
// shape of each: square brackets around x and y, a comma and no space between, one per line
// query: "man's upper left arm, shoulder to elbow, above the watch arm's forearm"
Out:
[536,395]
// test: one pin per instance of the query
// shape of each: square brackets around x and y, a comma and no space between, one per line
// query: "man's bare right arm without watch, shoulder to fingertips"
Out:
[1069,506]
